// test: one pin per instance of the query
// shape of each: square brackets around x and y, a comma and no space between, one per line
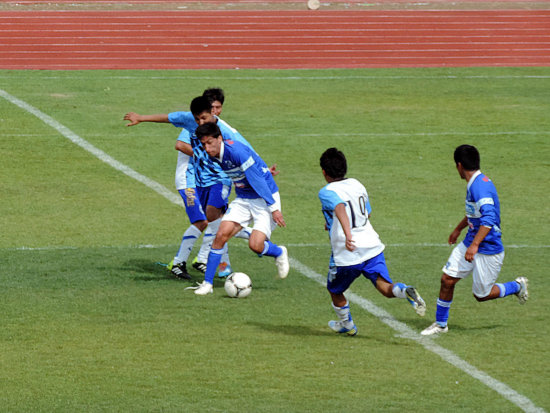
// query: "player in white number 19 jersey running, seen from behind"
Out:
[356,247]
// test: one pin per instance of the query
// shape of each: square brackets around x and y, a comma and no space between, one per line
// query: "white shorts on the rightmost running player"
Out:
[484,269]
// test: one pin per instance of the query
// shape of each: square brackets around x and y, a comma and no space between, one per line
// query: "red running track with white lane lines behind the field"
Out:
[273,39]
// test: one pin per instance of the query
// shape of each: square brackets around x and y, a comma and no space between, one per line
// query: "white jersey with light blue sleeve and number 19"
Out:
[353,195]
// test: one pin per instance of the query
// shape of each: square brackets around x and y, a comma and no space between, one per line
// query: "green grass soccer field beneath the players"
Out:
[91,322]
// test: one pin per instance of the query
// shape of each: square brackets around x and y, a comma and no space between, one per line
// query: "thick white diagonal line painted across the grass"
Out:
[403,329]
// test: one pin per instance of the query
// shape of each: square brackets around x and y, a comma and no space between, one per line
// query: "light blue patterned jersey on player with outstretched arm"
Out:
[207,173]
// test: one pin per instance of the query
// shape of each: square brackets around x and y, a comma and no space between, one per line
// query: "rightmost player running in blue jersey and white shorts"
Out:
[481,253]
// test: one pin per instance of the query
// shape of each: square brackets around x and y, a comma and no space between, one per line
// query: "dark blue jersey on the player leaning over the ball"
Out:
[248,172]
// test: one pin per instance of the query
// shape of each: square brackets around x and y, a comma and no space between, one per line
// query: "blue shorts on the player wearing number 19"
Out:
[340,278]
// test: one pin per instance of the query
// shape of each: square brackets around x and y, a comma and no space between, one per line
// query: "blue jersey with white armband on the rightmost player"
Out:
[483,209]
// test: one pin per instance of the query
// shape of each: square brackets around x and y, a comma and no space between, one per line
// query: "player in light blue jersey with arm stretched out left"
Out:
[206,202]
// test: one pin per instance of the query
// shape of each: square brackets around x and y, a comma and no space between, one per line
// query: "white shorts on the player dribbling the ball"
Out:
[243,211]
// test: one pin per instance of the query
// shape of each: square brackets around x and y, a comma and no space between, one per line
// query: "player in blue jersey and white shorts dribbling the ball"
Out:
[257,200]
